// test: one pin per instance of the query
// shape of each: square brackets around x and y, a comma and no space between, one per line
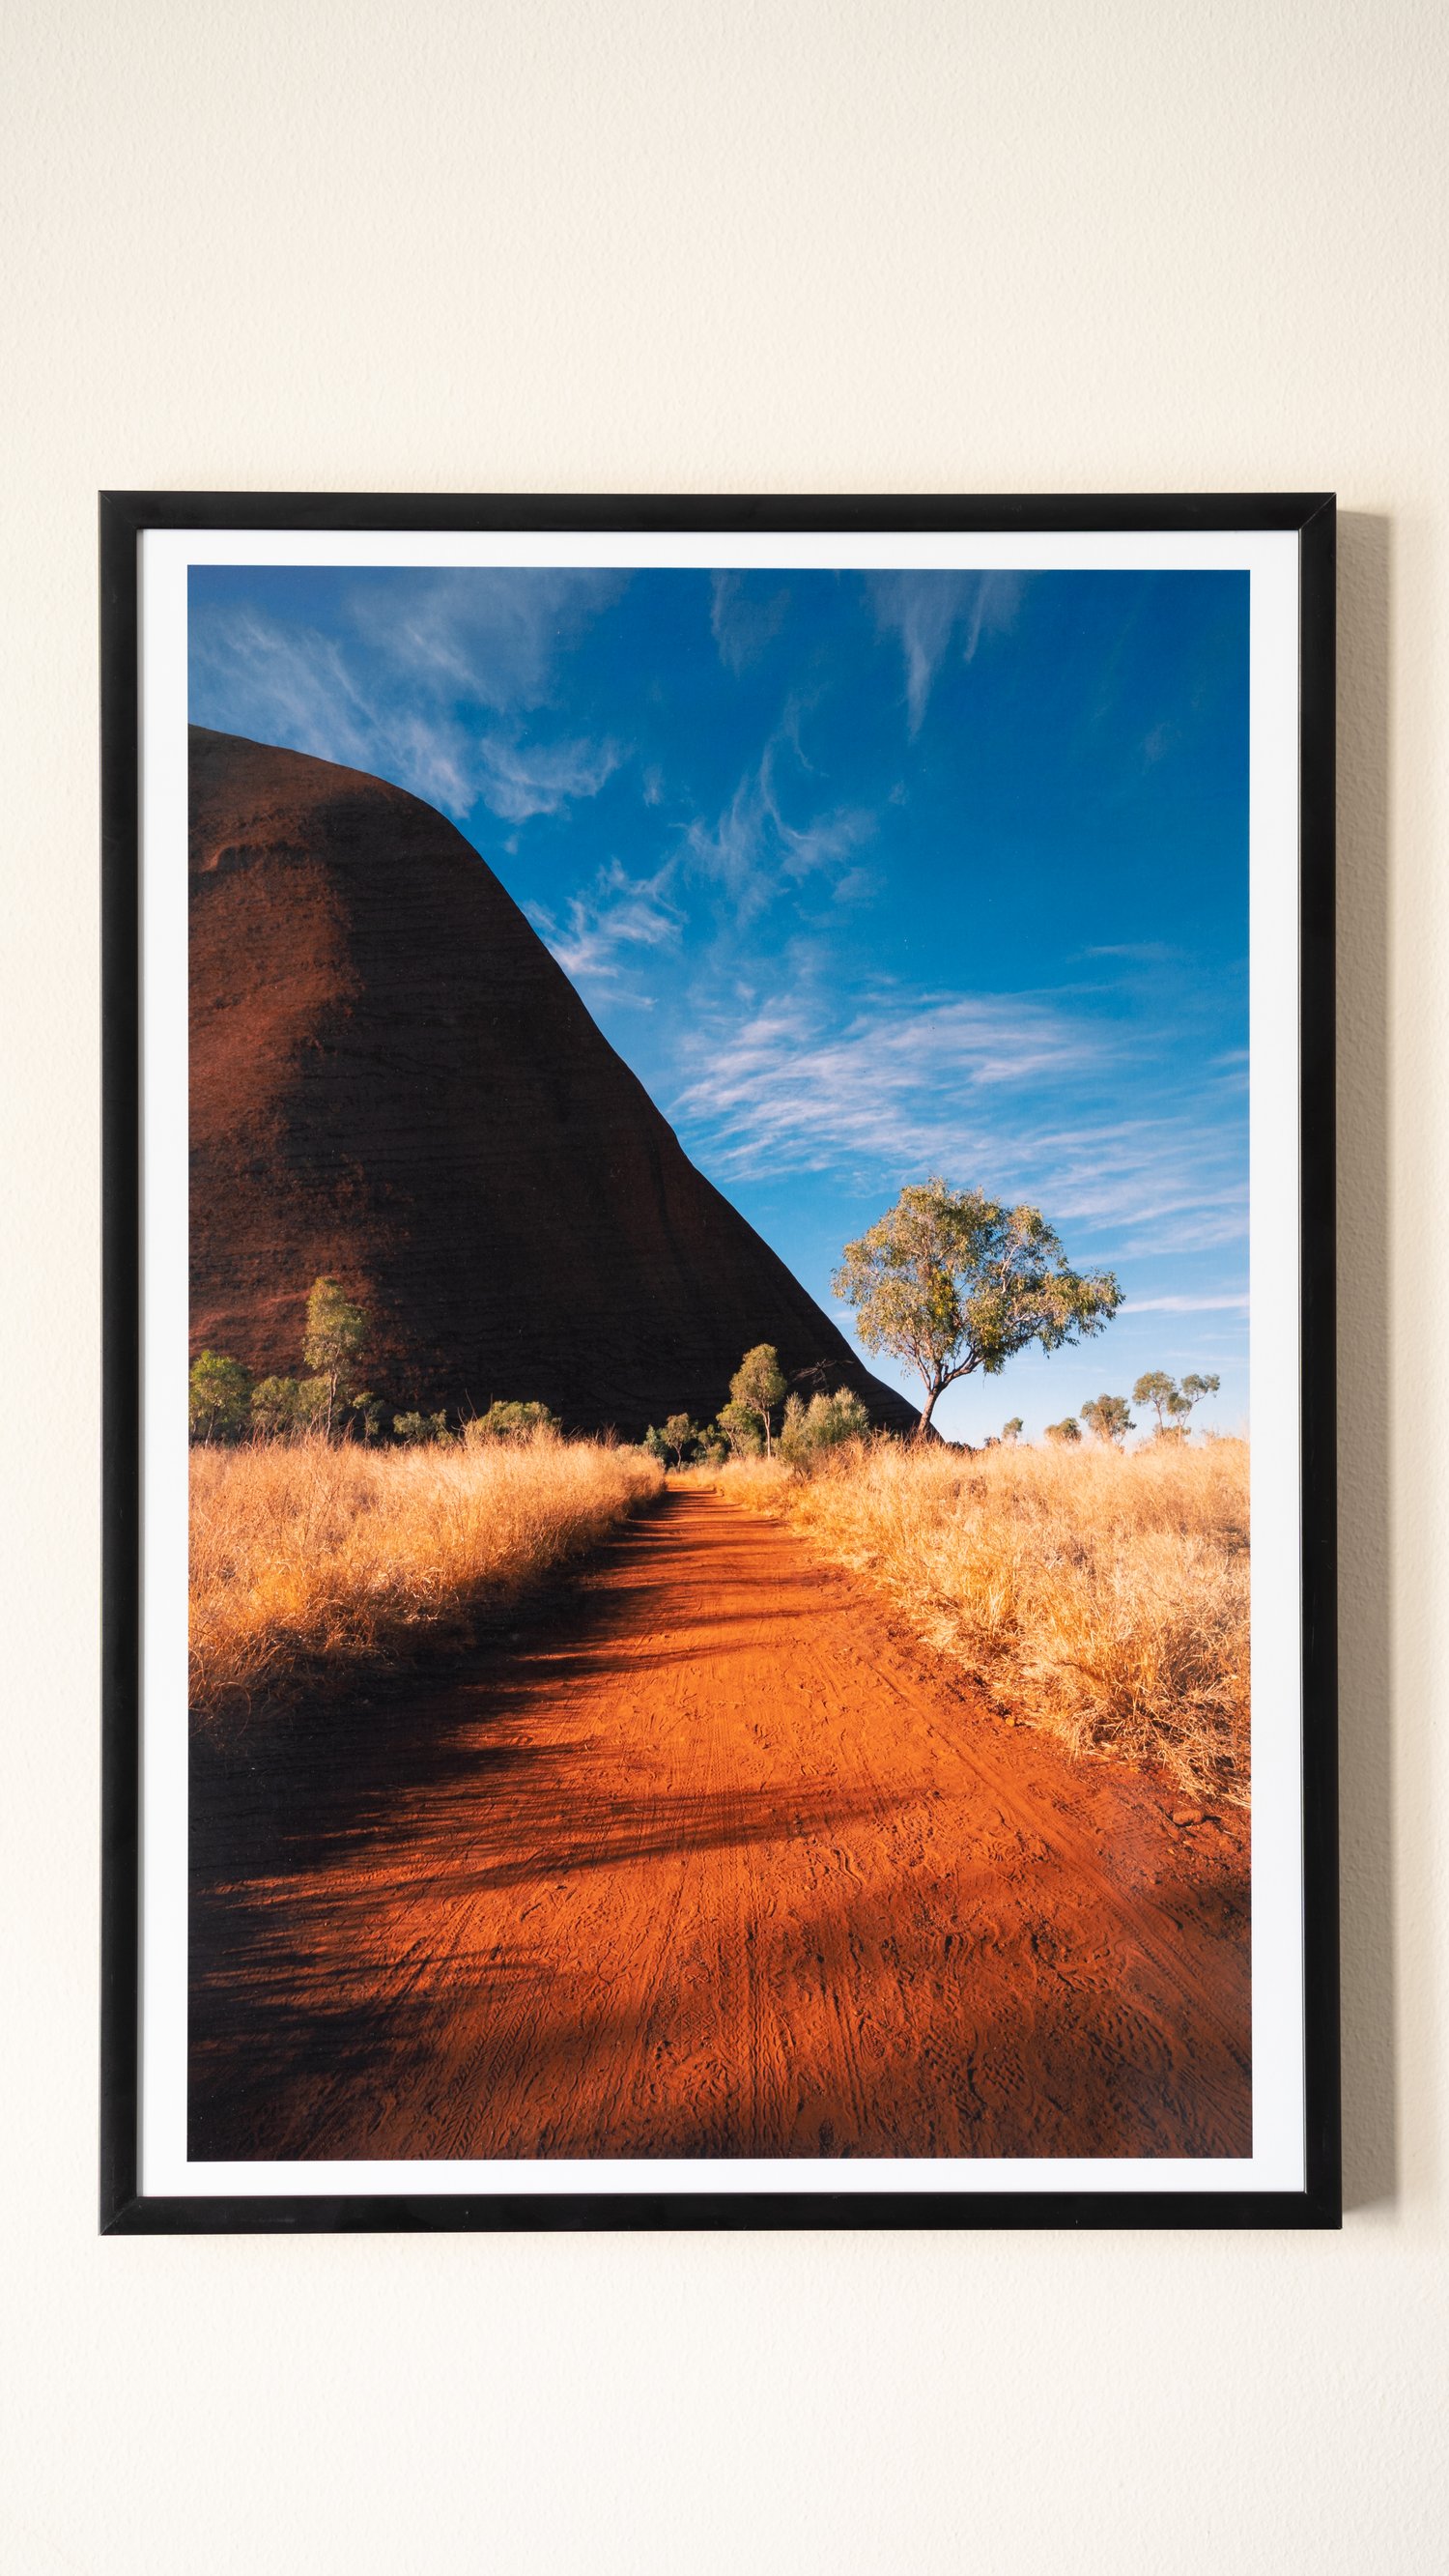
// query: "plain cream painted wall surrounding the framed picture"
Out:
[781,246]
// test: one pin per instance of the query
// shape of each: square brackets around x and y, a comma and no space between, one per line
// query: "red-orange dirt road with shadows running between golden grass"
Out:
[709,1861]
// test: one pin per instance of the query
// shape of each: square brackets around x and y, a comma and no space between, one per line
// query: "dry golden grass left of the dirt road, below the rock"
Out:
[318,1557]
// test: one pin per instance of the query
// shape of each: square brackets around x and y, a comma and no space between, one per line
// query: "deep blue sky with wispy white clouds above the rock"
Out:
[866,877]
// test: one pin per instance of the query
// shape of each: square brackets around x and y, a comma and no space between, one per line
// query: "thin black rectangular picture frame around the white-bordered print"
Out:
[125,519]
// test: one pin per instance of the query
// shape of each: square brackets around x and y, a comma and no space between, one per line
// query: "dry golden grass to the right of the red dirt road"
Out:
[1095,1593]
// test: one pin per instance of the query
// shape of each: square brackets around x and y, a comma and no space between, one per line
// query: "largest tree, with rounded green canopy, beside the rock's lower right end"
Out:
[954,1282]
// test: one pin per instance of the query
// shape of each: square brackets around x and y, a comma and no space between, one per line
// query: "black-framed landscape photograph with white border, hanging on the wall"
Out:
[719,1364]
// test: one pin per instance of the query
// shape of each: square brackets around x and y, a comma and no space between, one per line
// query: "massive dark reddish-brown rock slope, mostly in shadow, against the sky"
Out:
[395,1083]
